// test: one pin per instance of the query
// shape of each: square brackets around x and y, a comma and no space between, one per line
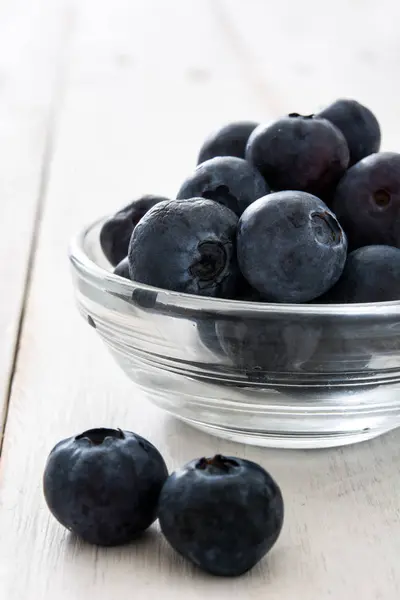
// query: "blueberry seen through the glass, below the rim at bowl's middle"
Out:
[259,347]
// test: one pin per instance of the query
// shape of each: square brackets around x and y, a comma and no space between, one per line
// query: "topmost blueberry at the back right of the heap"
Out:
[358,125]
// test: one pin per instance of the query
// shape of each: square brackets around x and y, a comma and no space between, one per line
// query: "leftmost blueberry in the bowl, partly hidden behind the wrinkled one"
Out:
[117,230]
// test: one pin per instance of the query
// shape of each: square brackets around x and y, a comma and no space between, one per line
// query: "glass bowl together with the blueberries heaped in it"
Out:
[263,304]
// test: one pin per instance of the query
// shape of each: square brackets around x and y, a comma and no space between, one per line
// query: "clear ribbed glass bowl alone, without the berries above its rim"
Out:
[292,376]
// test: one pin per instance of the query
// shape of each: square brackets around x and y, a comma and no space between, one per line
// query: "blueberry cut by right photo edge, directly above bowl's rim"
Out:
[371,274]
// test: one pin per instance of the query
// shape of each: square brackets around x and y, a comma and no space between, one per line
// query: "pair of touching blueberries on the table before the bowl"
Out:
[108,486]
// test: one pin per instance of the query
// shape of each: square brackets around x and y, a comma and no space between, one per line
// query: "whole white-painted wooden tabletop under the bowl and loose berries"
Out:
[103,100]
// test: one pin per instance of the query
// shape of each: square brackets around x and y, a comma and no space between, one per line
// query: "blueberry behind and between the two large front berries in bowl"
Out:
[232,182]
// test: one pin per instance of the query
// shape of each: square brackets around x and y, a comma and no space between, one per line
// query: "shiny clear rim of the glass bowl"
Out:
[101,277]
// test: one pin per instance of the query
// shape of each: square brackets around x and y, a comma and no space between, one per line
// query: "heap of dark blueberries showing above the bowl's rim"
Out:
[304,209]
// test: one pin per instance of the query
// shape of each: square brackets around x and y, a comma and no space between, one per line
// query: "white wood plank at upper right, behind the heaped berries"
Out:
[303,57]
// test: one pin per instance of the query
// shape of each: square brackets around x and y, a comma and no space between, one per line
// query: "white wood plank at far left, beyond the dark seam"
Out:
[31,38]
